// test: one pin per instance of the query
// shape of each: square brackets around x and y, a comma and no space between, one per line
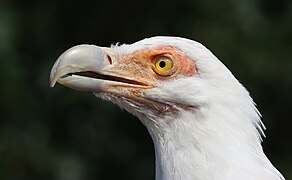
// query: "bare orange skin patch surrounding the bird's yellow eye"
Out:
[140,65]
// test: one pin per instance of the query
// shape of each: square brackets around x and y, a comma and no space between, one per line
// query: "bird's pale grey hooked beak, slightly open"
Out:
[89,68]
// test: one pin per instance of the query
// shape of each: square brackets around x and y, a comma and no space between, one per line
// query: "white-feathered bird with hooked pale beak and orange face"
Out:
[202,120]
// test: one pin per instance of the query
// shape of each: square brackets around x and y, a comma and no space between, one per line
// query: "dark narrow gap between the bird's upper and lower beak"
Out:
[95,75]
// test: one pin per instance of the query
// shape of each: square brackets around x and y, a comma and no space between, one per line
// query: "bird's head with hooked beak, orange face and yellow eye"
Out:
[158,77]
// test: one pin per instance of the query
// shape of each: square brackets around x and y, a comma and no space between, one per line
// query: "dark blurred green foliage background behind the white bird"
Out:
[68,135]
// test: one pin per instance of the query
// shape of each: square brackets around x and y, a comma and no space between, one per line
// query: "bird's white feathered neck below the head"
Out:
[194,146]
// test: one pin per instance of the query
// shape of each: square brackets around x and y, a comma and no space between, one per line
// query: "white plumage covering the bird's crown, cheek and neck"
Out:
[221,139]
